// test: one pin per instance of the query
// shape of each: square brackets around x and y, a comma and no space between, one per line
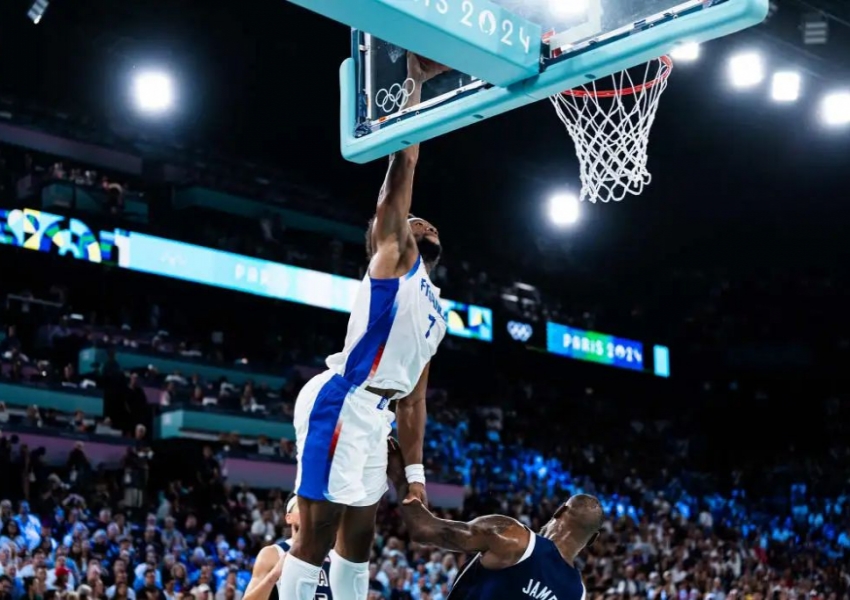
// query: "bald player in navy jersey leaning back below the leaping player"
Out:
[511,561]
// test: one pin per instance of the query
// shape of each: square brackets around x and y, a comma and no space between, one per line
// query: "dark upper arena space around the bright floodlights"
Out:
[740,182]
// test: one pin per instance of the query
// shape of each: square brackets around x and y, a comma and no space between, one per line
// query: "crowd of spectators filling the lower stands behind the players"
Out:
[84,530]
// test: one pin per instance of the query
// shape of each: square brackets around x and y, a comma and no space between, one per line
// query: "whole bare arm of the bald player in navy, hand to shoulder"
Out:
[501,540]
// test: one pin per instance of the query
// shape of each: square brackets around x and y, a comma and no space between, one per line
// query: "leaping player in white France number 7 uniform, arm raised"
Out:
[342,417]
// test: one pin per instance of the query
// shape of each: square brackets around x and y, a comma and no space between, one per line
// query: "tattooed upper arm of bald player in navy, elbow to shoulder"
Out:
[493,533]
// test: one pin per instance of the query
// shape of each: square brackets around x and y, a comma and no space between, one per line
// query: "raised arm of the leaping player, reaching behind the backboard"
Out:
[390,231]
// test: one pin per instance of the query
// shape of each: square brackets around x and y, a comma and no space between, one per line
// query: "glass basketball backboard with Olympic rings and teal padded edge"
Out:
[574,42]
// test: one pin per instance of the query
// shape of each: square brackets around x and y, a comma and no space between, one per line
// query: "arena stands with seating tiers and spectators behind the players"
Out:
[124,477]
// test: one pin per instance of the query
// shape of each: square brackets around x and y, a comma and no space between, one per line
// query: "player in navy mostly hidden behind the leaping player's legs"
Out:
[265,578]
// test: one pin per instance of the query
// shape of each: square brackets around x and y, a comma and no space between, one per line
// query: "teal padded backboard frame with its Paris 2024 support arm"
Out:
[521,81]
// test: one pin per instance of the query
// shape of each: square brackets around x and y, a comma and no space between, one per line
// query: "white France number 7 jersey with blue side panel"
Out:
[394,330]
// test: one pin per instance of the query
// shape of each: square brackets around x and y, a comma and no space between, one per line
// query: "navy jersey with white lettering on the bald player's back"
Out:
[541,573]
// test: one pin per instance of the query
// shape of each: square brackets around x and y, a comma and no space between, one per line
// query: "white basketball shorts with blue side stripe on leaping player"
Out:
[341,437]
